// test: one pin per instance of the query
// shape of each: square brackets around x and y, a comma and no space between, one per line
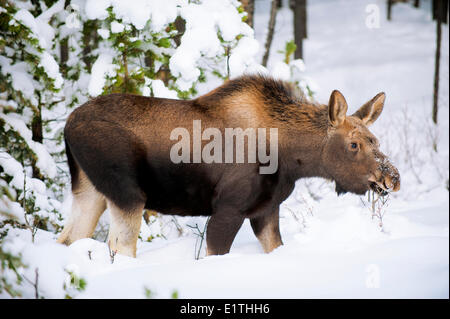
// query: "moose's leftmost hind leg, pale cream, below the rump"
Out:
[87,207]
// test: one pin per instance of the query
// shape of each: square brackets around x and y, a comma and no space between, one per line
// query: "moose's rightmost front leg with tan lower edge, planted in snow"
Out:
[267,230]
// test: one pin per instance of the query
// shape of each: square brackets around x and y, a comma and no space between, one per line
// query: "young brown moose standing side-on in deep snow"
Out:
[121,143]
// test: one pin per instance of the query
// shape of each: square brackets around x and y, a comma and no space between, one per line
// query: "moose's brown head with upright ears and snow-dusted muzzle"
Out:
[351,154]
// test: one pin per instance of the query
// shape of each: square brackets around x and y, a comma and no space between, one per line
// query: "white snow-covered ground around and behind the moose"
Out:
[333,246]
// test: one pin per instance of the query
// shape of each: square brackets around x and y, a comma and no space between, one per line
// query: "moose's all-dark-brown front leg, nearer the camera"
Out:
[222,228]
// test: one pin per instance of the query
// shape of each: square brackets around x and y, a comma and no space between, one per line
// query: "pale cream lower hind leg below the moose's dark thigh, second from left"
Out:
[124,229]
